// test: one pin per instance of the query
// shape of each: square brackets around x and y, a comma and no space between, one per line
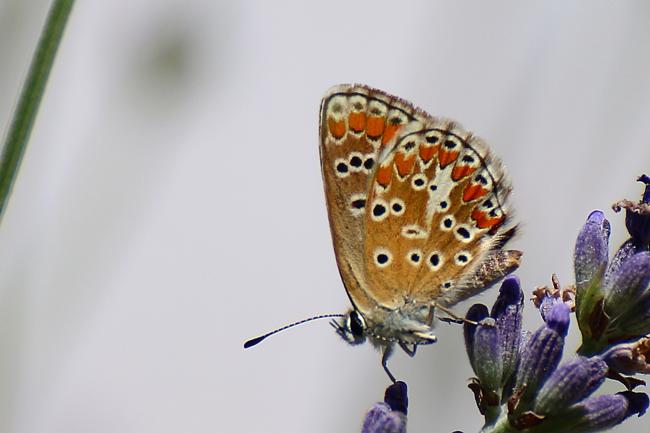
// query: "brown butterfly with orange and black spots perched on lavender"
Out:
[418,211]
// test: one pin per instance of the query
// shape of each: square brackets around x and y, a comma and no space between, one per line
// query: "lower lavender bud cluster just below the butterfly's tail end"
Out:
[538,394]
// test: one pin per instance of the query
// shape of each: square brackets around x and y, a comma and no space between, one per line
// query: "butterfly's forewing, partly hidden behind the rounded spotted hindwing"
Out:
[357,125]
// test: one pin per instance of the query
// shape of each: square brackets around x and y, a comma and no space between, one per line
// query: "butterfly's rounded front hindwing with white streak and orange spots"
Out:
[437,217]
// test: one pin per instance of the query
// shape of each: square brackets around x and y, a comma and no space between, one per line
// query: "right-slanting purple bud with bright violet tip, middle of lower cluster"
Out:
[542,353]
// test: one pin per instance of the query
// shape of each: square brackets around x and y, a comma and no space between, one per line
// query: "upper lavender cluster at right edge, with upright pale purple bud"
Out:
[613,298]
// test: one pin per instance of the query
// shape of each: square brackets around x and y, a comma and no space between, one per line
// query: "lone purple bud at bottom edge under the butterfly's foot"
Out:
[390,416]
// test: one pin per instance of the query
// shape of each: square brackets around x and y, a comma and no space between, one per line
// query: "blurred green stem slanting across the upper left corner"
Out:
[30,97]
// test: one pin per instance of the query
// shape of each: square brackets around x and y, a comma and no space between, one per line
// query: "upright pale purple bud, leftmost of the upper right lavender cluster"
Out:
[591,251]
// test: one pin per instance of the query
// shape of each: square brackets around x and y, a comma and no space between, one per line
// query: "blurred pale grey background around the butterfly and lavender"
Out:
[170,203]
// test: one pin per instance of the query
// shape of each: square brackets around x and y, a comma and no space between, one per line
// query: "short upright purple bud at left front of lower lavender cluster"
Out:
[487,355]
